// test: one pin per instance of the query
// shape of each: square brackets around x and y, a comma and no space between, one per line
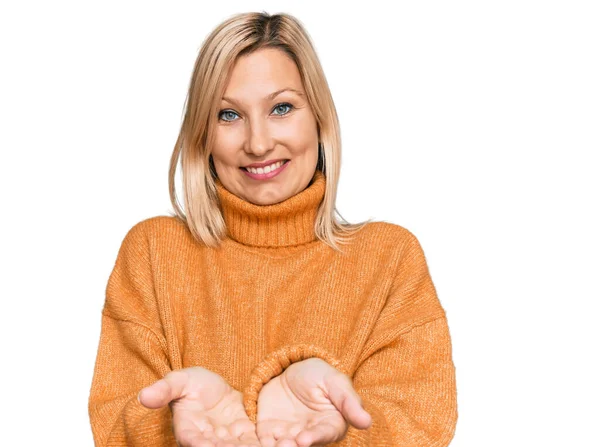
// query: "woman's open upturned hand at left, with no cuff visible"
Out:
[207,411]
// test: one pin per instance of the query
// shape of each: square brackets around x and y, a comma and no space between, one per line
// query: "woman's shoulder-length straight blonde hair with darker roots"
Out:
[239,35]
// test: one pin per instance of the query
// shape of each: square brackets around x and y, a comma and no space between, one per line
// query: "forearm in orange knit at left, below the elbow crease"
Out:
[129,358]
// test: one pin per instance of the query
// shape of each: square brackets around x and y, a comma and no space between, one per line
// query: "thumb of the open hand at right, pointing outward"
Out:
[342,394]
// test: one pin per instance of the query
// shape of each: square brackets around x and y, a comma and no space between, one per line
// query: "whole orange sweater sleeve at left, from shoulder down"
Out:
[132,354]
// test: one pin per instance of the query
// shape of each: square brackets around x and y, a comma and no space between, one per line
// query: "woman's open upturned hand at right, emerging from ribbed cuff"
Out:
[309,404]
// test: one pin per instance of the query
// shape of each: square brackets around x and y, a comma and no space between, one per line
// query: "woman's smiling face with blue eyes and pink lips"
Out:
[265,117]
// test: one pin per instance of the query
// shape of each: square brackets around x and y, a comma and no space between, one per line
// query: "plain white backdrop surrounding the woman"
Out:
[474,124]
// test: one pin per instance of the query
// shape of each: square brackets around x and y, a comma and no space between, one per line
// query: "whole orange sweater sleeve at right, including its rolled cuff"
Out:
[405,374]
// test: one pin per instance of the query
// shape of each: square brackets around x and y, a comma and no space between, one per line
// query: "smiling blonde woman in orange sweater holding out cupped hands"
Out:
[243,321]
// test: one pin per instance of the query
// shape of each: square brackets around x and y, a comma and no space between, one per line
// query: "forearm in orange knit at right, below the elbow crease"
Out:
[409,389]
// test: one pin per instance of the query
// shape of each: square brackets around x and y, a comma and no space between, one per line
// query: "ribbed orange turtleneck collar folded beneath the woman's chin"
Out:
[286,223]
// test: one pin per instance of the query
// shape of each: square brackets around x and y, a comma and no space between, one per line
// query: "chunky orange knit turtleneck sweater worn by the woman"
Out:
[274,294]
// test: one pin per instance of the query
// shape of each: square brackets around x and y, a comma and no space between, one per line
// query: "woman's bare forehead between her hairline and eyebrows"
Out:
[261,73]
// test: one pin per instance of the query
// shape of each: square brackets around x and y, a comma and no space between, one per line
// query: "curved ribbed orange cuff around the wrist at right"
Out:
[275,363]
